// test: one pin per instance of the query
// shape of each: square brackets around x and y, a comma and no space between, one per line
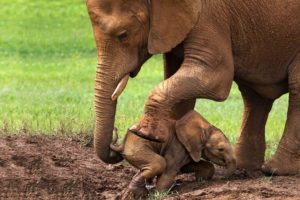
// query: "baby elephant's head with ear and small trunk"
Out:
[202,140]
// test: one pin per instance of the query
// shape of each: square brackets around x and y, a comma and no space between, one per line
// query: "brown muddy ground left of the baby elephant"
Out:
[40,167]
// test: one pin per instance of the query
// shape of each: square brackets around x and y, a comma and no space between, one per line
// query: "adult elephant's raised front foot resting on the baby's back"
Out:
[153,128]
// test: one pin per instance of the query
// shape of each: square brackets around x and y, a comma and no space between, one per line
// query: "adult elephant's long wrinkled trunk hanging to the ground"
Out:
[105,115]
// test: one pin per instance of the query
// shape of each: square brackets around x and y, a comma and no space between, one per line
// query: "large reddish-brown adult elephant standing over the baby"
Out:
[206,45]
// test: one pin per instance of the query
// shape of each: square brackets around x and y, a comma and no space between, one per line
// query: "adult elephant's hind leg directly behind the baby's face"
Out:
[250,147]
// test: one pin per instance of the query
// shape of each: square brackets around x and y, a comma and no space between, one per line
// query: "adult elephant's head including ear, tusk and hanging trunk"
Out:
[126,34]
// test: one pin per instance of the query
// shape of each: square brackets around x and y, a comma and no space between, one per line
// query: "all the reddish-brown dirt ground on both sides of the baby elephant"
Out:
[40,167]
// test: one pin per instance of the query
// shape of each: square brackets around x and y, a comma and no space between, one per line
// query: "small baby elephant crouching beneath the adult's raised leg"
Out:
[192,139]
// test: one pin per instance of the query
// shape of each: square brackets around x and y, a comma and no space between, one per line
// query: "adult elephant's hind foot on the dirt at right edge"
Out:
[281,166]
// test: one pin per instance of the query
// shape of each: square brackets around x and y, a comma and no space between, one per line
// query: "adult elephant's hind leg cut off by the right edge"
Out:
[286,160]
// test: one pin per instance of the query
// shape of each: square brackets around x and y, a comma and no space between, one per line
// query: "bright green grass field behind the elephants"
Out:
[47,69]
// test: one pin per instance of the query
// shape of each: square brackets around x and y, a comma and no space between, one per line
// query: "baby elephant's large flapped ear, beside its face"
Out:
[190,133]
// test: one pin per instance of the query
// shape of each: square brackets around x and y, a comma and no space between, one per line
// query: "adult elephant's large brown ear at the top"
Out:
[171,21]
